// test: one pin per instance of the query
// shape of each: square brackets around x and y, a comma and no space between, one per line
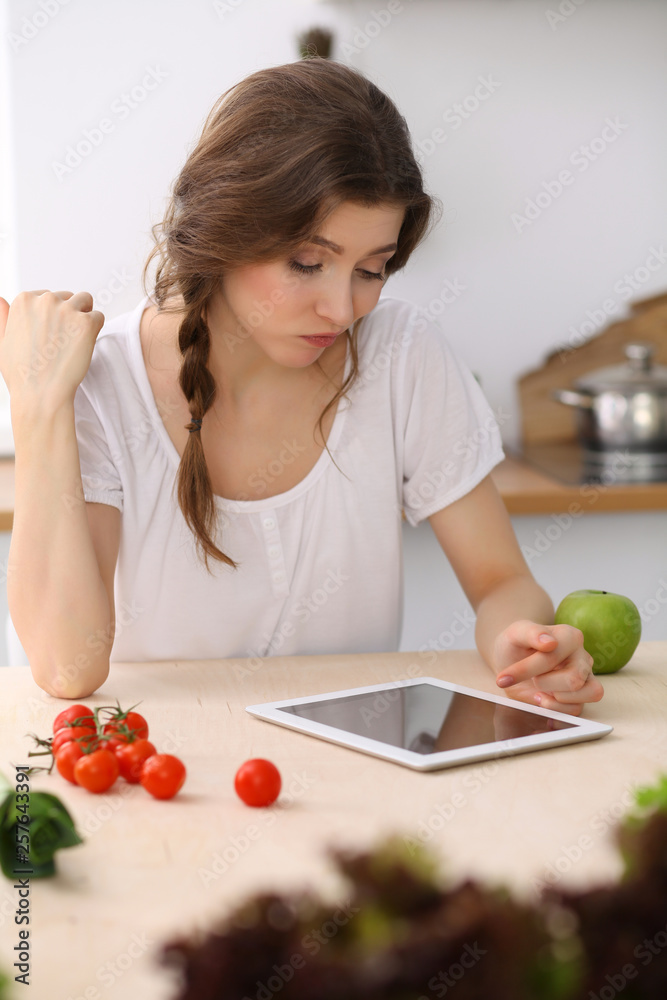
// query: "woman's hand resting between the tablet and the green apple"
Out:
[546,665]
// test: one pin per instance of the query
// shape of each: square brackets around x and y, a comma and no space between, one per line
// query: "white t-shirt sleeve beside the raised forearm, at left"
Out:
[99,475]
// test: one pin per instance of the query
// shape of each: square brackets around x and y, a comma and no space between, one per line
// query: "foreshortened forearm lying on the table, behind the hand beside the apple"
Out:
[516,598]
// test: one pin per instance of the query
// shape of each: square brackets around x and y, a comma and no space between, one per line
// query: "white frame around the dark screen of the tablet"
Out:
[582,729]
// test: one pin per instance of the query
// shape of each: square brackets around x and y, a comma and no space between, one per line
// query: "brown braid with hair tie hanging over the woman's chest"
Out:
[195,493]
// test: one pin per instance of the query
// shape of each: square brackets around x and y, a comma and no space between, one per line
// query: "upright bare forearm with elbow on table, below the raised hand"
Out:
[55,591]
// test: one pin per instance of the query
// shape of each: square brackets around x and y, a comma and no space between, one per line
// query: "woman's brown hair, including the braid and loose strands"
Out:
[278,152]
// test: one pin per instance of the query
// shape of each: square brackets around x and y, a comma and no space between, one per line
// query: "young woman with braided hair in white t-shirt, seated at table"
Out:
[223,471]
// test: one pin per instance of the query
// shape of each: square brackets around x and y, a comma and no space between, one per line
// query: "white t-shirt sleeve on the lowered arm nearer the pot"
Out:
[451,438]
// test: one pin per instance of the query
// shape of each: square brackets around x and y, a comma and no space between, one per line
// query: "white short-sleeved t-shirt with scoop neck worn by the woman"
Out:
[321,565]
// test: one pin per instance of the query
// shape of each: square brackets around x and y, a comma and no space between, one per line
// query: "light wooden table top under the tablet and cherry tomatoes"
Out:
[149,870]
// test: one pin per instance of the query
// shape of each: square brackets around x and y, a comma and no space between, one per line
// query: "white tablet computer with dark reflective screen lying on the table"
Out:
[428,724]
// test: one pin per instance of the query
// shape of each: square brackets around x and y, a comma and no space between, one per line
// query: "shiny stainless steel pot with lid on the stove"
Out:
[622,406]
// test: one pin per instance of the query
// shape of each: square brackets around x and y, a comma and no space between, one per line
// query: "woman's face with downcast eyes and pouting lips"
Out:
[269,308]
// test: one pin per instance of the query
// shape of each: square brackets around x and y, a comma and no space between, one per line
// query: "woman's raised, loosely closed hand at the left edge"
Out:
[46,345]
